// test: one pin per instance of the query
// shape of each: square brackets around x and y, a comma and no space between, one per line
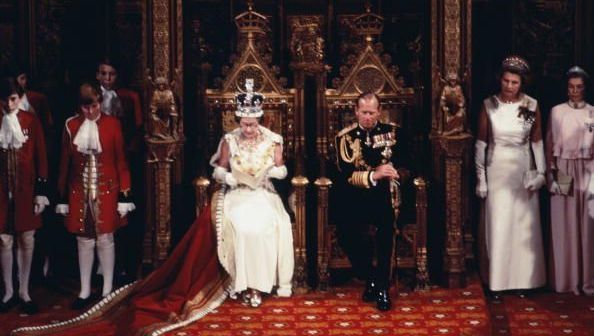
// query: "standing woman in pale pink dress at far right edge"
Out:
[570,147]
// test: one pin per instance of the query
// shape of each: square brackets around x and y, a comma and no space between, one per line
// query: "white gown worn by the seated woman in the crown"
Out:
[255,241]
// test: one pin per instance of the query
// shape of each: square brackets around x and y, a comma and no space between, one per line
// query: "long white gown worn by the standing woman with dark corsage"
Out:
[512,219]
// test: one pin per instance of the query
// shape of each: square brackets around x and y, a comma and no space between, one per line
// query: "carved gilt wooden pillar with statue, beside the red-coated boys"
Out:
[165,122]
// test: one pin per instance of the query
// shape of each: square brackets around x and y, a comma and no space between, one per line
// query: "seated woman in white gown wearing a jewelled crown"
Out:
[255,243]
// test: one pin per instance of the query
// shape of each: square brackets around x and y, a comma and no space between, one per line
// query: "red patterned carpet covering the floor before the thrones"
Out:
[340,312]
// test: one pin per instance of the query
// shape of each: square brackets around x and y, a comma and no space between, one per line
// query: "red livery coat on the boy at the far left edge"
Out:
[31,165]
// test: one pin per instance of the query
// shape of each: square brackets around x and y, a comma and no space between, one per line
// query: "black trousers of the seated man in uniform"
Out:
[354,239]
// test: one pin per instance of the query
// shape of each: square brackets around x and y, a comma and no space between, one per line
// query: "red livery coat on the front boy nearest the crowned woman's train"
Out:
[113,175]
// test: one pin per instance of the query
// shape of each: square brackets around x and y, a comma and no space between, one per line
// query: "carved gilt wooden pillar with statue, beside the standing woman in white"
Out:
[450,54]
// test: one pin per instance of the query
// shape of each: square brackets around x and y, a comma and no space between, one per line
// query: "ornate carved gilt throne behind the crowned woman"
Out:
[279,116]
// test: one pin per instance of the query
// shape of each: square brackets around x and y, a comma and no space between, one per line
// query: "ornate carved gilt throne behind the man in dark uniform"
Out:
[369,70]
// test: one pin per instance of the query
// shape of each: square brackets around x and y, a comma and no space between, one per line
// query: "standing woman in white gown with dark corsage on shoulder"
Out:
[510,168]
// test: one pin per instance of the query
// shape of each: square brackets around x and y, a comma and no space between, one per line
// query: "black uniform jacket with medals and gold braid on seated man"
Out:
[358,153]
